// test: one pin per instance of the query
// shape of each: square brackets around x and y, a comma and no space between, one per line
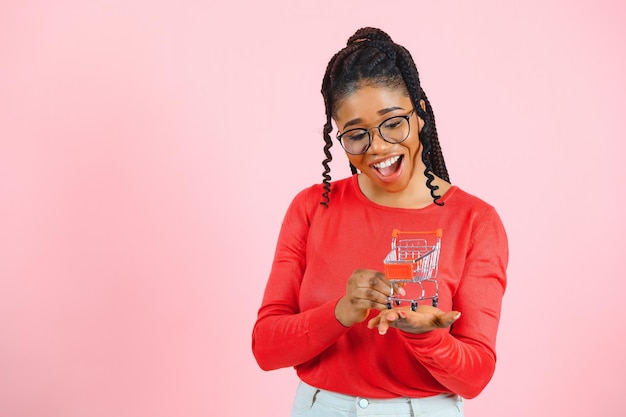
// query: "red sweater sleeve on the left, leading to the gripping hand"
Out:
[283,335]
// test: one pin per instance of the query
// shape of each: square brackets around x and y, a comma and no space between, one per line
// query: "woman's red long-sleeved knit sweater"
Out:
[318,249]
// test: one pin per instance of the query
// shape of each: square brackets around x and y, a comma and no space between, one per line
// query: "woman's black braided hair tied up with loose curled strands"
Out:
[371,57]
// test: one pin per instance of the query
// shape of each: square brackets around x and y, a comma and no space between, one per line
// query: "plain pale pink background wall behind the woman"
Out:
[146,162]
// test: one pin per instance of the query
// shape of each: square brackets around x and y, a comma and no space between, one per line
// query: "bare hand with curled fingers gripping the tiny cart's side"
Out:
[366,289]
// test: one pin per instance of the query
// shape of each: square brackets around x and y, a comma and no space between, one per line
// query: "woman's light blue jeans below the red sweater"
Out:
[313,402]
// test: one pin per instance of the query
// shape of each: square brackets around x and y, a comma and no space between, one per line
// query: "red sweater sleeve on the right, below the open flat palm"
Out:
[463,359]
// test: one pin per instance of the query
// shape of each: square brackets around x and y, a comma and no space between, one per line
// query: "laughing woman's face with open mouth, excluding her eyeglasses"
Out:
[389,167]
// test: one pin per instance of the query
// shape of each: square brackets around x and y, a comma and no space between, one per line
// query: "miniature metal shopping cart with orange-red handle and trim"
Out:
[414,258]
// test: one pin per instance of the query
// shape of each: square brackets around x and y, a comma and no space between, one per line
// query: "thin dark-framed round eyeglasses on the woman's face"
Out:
[393,130]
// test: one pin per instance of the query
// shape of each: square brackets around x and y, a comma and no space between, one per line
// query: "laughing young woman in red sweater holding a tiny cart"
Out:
[325,309]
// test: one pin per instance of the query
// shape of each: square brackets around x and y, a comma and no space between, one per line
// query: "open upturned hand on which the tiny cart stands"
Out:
[425,319]
